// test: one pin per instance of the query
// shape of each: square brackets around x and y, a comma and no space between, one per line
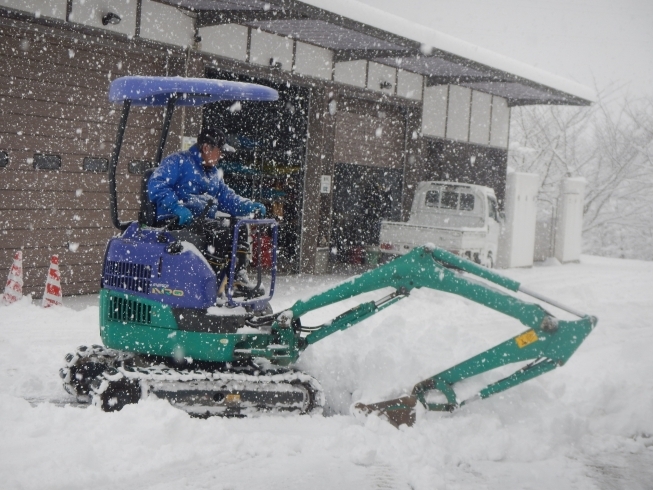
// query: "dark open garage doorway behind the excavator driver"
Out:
[267,165]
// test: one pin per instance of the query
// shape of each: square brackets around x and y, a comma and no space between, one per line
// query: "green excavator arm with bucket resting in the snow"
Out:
[547,343]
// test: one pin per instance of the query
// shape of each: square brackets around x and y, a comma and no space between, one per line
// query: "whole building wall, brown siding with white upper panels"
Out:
[54,100]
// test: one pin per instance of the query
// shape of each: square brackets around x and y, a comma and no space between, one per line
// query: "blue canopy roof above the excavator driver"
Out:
[156,91]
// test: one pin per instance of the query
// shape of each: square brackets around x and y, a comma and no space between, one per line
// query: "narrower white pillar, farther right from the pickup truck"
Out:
[569,226]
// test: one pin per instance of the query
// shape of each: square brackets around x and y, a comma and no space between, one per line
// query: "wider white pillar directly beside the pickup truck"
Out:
[517,241]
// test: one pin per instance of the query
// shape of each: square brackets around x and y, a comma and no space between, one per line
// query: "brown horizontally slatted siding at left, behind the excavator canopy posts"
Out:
[53,100]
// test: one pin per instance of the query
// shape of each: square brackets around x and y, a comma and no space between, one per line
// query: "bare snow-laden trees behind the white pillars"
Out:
[610,144]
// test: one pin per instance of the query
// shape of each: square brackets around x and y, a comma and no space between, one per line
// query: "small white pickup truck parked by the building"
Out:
[461,218]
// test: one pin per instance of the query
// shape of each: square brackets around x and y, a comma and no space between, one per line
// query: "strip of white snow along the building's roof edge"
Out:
[431,38]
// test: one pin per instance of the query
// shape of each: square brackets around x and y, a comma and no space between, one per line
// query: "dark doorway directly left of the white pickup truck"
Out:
[362,197]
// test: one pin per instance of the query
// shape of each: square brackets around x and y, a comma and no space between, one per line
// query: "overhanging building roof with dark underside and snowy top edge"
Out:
[357,31]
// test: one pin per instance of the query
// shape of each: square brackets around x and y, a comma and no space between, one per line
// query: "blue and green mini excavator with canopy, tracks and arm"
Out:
[166,333]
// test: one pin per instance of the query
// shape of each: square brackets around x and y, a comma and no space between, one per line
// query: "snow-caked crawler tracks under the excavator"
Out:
[120,376]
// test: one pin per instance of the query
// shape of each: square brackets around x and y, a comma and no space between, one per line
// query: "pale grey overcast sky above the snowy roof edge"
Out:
[598,43]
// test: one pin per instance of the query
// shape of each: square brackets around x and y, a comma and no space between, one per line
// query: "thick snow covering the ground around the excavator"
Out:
[588,425]
